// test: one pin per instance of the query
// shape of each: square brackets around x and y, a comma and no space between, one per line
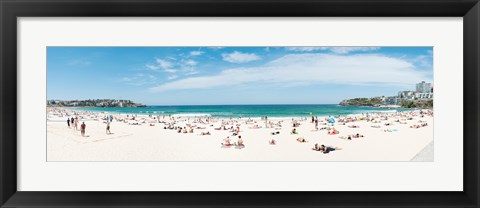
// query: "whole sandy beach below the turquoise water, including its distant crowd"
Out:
[386,137]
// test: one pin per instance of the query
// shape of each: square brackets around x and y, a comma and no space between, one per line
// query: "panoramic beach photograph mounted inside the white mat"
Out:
[240,104]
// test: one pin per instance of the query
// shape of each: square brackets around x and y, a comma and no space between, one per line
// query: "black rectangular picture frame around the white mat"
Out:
[10,10]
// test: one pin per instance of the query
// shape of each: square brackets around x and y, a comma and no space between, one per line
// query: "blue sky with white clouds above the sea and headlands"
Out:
[234,75]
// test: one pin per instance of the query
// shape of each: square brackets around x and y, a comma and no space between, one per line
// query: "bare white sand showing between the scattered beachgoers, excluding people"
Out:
[154,143]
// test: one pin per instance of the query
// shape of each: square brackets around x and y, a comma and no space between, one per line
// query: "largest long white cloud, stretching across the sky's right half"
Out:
[360,69]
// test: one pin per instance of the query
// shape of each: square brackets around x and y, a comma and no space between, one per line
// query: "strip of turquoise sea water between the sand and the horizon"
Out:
[246,110]
